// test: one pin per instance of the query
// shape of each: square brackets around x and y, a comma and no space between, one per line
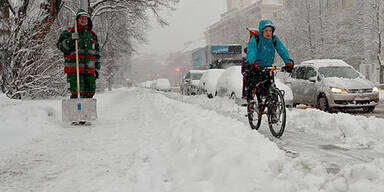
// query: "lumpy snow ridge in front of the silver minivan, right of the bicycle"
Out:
[356,131]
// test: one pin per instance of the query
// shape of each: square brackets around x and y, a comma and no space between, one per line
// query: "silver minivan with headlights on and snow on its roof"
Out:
[332,84]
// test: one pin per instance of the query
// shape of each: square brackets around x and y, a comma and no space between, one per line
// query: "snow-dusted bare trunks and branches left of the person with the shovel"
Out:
[25,47]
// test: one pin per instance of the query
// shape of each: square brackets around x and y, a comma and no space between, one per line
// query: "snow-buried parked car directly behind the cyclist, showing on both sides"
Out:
[230,85]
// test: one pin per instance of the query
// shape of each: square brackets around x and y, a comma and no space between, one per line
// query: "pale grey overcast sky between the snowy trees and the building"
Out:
[187,23]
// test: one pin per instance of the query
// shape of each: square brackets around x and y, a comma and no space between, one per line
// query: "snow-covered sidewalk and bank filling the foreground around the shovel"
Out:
[145,141]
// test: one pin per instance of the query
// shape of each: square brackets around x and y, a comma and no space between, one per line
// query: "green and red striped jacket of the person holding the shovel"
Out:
[89,50]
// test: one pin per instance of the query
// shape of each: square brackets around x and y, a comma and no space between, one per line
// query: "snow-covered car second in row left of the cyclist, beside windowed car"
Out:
[208,81]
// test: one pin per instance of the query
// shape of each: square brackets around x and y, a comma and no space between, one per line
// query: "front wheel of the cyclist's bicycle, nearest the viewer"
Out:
[276,113]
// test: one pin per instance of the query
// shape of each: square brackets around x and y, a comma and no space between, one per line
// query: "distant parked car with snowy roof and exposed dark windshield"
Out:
[191,81]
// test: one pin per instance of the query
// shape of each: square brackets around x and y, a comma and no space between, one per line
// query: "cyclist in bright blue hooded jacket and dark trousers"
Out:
[261,53]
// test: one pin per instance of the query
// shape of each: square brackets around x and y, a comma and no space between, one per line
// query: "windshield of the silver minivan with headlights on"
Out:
[341,72]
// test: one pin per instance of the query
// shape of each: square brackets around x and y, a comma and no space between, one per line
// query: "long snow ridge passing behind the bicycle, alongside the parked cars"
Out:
[353,131]
